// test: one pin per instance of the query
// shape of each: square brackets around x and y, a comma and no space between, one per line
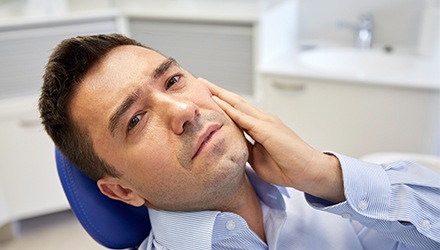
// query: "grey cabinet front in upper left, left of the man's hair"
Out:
[25,49]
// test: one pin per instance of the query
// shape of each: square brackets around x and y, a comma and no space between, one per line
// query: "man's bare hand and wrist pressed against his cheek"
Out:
[278,154]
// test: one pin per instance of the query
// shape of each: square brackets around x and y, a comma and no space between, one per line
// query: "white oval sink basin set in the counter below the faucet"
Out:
[355,60]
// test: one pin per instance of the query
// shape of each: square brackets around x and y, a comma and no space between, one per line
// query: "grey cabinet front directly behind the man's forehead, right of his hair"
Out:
[221,53]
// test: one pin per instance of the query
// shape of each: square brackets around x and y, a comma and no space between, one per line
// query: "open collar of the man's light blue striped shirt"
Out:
[194,230]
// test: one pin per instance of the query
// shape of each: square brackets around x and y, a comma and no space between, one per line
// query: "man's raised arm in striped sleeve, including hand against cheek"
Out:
[391,199]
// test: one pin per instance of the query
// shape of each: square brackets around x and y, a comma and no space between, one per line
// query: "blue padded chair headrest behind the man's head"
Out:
[111,223]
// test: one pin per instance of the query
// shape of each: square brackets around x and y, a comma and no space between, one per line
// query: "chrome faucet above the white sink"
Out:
[363,30]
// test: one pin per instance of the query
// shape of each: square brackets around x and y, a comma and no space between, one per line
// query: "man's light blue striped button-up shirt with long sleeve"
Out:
[394,206]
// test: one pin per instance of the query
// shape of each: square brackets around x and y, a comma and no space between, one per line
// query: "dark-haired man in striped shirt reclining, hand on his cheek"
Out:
[152,134]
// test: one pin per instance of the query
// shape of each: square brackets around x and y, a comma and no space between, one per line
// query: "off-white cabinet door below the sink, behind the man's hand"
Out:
[355,119]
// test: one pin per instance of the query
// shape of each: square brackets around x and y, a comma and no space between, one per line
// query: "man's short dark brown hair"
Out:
[68,64]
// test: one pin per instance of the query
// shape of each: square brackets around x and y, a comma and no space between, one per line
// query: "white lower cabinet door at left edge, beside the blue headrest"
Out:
[28,176]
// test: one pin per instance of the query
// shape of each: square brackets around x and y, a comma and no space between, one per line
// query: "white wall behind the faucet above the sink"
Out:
[396,21]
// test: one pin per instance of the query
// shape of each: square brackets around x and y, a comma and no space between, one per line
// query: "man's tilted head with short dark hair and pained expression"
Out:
[142,126]
